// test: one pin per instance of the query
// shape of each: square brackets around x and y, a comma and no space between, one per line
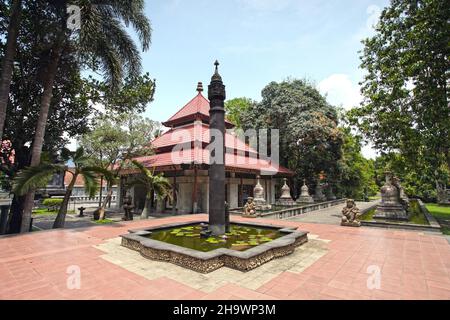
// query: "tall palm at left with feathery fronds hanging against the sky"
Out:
[103,44]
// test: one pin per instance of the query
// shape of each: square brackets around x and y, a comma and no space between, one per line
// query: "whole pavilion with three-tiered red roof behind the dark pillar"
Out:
[181,153]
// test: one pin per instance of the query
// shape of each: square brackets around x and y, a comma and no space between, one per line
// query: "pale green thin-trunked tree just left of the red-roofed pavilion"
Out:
[115,140]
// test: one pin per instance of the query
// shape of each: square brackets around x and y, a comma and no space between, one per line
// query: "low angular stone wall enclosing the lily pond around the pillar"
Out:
[205,262]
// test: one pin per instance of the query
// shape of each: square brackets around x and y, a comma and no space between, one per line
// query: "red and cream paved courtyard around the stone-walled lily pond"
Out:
[334,264]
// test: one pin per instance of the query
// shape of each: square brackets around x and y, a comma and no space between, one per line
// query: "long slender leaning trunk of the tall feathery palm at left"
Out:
[38,141]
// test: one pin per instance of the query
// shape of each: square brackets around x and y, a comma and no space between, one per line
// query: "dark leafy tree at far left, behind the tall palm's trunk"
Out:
[68,112]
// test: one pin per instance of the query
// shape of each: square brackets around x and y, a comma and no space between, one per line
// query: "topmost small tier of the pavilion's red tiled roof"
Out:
[197,107]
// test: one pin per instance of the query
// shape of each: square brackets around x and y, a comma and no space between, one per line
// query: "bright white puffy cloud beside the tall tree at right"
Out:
[340,90]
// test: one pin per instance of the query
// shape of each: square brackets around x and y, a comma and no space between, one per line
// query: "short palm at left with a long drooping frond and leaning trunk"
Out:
[38,176]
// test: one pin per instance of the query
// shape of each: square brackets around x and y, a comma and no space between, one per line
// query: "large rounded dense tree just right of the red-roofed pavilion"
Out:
[310,141]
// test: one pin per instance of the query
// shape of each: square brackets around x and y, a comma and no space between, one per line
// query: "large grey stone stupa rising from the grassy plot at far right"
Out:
[394,202]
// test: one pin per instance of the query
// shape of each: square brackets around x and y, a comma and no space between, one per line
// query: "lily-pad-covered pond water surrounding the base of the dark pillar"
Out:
[240,237]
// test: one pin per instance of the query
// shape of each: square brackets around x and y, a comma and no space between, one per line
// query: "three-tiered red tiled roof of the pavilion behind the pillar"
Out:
[186,142]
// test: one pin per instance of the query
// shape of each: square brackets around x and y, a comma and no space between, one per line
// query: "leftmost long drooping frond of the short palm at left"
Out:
[35,177]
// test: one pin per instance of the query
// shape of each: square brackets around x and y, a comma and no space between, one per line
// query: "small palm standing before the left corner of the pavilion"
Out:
[157,183]
